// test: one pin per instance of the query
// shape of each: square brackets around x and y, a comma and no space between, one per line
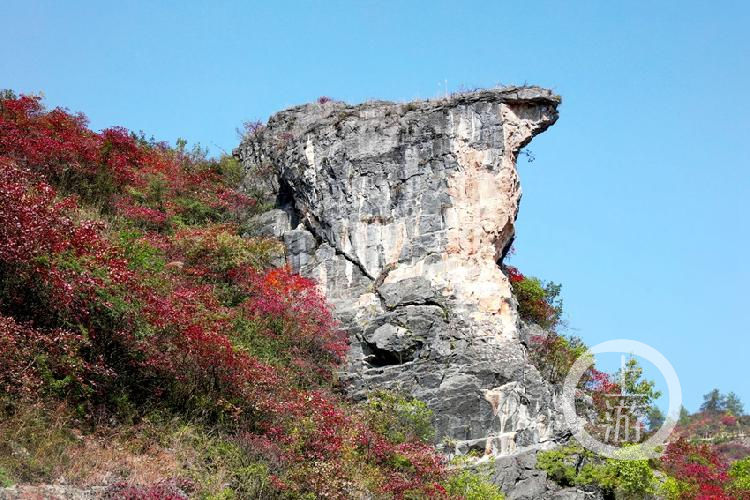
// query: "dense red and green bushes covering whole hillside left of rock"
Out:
[127,288]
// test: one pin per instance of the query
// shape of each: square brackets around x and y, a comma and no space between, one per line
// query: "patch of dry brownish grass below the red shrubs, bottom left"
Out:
[45,444]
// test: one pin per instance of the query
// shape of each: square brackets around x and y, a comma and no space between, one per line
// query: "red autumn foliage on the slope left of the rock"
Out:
[78,318]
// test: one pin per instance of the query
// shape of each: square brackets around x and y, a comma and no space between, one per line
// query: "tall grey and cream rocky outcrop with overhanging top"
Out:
[403,213]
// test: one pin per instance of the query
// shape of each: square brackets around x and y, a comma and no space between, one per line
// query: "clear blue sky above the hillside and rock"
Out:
[637,201]
